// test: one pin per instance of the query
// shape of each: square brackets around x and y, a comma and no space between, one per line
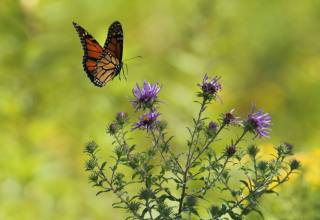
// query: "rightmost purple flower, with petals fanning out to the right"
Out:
[258,123]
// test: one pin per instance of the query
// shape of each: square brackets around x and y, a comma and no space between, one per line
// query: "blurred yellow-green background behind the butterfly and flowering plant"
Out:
[267,53]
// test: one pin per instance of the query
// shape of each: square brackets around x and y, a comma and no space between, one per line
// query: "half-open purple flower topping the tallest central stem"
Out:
[209,87]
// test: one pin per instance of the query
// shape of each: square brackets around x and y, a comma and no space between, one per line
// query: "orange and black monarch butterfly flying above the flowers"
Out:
[102,64]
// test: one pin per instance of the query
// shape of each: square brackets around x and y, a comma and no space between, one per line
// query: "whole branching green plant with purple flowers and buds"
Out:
[173,185]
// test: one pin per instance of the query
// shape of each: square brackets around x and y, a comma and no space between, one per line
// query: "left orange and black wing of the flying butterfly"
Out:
[92,53]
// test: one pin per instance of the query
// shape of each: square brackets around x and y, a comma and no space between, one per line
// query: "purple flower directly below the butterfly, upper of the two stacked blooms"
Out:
[146,96]
